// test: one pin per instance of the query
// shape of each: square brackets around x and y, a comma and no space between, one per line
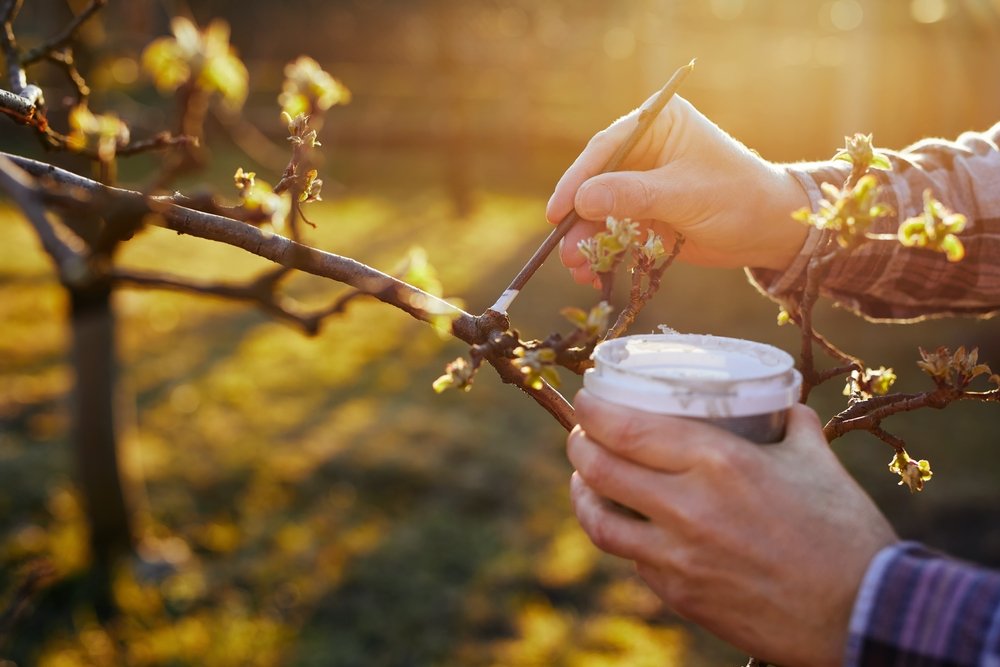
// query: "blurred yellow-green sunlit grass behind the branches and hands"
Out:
[310,501]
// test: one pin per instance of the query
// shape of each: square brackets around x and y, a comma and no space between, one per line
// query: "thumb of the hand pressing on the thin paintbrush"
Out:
[621,194]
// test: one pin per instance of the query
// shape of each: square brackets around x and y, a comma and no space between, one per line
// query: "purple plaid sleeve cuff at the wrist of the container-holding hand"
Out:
[917,607]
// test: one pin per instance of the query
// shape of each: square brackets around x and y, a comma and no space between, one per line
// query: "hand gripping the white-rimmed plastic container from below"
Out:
[763,545]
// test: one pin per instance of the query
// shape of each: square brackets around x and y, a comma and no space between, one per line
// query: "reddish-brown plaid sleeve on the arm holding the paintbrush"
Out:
[884,280]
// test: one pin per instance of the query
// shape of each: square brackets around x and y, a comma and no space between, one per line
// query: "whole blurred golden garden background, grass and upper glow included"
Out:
[310,501]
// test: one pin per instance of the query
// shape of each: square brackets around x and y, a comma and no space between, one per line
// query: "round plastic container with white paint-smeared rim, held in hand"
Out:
[742,386]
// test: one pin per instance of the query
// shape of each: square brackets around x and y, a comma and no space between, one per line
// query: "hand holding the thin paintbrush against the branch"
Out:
[688,175]
